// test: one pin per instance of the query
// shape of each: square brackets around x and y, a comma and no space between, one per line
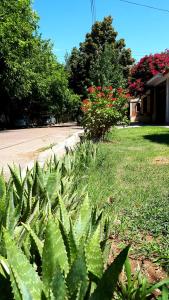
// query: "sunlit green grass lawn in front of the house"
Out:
[131,172]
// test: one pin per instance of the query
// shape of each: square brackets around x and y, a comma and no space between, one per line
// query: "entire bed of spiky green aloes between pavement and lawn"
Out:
[54,247]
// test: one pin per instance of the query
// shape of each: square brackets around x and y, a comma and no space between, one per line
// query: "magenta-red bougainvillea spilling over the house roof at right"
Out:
[145,69]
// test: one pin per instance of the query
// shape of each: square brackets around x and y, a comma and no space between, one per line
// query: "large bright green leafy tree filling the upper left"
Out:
[31,79]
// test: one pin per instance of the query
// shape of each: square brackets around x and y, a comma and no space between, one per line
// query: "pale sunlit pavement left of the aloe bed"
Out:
[24,146]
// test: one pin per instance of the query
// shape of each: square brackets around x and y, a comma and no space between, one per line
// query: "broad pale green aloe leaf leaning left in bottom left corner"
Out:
[19,263]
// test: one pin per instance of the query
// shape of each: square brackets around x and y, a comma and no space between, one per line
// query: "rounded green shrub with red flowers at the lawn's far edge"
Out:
[104,108]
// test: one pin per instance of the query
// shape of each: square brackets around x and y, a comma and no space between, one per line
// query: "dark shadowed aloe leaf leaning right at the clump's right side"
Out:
[108,282]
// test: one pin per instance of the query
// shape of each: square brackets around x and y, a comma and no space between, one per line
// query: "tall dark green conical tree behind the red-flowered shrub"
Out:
[100,59]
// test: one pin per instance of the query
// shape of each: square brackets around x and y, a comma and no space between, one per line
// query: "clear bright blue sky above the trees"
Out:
[66,22]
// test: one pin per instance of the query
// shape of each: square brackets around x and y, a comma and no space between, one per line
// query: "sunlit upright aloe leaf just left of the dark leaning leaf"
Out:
[94,255]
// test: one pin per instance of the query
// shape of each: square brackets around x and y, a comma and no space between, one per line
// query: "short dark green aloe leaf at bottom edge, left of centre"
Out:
[58,285]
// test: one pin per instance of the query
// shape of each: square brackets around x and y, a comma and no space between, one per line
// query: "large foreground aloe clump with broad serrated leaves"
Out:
[77,273]
